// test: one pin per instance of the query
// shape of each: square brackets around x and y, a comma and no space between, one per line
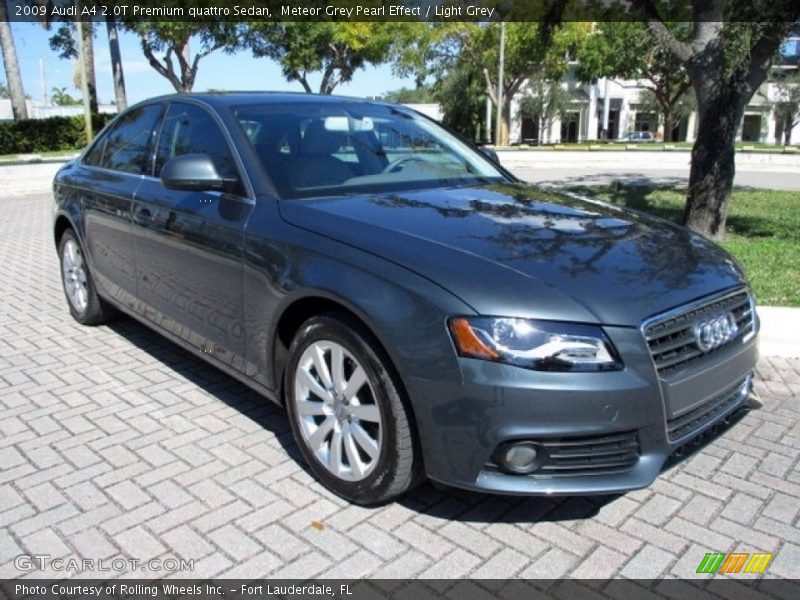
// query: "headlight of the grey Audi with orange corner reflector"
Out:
[539,345]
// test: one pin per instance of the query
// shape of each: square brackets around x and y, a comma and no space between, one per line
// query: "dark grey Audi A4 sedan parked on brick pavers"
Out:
[418,310]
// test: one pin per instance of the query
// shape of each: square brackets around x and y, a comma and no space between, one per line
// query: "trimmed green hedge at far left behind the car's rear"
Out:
[47,135]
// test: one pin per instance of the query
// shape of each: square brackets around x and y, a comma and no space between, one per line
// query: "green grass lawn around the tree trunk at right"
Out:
[763,232]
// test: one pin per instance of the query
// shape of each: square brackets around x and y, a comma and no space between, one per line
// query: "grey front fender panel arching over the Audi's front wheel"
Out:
[406,312]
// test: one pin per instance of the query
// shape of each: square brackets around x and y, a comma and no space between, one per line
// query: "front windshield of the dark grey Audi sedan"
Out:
[315,149]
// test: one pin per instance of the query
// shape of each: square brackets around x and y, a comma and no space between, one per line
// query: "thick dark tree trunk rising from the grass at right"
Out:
[720,110]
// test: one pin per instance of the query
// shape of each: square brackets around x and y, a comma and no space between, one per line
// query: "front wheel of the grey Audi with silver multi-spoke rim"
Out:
[350,422]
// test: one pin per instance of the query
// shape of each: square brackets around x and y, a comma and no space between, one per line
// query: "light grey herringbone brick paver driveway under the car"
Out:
[115,443]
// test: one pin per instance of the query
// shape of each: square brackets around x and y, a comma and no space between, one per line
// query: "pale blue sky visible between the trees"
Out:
[218,71]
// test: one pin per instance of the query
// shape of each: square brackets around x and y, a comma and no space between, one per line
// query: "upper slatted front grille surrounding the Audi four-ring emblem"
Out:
[672,341]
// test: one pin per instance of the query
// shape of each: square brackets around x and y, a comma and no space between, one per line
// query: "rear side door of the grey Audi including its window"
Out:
[110,174]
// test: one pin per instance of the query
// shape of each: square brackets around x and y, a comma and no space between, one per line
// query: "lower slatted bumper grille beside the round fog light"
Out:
[587,455]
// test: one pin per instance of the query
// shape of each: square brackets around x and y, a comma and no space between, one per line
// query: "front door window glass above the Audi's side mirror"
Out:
[189,129]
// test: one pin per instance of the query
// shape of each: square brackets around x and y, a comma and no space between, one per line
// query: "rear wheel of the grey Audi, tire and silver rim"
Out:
[85,305]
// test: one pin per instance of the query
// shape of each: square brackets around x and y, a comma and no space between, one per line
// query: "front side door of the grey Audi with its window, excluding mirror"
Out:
[189,244]
